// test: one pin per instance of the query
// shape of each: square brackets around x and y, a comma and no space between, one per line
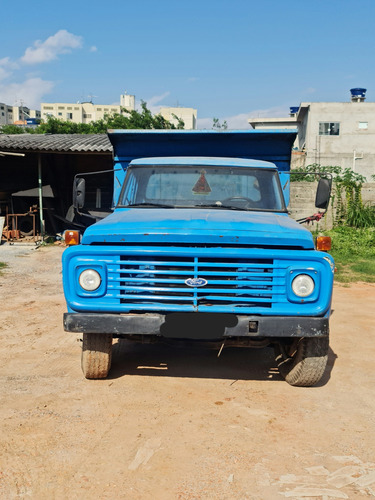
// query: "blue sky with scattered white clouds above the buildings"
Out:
[229,59]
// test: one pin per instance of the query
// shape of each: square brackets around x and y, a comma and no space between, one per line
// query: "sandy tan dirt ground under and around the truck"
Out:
[173,423]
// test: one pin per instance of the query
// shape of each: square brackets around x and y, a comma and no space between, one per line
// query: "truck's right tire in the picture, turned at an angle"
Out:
[302,363]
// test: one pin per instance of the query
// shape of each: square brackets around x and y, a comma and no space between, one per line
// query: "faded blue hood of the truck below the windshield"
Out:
[198,226]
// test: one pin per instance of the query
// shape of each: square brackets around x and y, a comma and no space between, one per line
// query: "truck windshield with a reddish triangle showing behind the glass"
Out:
[197,186]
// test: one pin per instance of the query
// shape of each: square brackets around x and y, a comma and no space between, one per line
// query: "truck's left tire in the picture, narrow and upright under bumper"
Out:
[96,355]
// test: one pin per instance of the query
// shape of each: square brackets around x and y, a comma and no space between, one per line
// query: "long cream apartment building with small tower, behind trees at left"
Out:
[86,112]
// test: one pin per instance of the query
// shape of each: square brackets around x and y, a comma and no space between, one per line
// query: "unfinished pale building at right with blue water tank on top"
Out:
[331,133]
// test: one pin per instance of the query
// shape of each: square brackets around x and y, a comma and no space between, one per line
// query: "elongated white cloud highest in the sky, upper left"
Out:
[61,42]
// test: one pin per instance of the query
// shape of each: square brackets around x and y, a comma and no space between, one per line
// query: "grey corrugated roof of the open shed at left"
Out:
[69,143]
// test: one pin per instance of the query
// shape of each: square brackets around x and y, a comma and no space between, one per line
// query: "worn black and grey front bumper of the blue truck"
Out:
[238,325]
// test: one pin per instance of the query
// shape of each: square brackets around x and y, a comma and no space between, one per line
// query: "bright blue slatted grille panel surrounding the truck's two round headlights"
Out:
[241,281]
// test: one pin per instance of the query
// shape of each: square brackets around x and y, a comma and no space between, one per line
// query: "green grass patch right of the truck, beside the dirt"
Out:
[354,253]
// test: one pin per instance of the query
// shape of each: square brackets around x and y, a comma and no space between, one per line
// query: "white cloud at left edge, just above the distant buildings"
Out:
[30,91]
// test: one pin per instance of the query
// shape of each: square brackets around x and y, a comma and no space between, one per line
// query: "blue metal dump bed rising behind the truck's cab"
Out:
[269,145]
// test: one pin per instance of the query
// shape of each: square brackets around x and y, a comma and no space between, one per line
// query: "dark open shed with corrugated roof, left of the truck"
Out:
[36,179]
